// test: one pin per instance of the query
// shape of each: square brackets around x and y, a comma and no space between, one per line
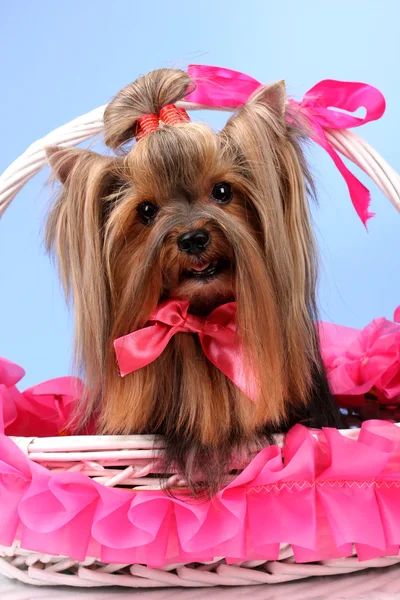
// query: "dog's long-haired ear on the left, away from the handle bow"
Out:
[75,234]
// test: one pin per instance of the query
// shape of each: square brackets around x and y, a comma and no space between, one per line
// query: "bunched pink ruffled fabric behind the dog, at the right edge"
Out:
[359,361]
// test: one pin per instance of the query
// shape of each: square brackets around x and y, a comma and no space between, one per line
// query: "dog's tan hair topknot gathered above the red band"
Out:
[148,94]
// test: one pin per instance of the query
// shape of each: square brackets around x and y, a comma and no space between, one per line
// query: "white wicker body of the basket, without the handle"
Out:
[131,461]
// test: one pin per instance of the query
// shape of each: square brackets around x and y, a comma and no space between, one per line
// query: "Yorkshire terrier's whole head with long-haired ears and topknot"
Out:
[193,214]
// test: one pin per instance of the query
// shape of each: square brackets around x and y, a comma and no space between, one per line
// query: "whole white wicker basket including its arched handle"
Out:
[132,461]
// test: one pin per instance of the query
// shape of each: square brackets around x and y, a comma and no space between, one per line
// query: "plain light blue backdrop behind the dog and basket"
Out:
[62,59]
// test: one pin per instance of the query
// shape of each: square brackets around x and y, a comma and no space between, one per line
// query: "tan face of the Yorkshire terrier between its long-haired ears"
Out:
[177,227]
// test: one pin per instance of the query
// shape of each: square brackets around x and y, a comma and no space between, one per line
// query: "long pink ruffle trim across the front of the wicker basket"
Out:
[317,500]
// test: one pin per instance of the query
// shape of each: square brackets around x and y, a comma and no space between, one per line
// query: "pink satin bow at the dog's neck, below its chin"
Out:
[217,335]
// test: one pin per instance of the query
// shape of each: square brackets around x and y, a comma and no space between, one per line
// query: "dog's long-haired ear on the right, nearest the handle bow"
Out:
[265,148]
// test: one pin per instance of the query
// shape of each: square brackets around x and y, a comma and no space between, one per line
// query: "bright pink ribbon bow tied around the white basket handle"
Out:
[216,86]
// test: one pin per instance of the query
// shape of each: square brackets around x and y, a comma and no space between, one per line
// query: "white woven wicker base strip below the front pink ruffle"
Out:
[44,569]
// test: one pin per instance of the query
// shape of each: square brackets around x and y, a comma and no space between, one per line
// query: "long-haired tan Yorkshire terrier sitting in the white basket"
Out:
[210,218]
